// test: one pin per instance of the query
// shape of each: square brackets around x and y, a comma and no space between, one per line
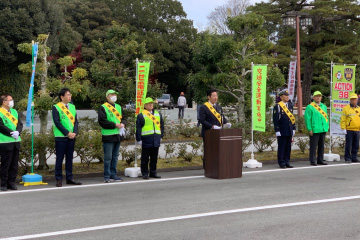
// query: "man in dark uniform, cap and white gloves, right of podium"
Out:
[284,125]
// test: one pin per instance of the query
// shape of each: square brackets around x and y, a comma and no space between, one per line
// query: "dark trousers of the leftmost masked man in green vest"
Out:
[9,166]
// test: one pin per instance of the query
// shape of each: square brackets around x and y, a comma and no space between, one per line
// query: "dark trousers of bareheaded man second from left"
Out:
[64,148]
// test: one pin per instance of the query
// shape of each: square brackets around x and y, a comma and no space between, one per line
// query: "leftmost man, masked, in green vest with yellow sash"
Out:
[10,130]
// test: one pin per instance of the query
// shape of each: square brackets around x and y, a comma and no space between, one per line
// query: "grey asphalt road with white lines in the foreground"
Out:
[269,203]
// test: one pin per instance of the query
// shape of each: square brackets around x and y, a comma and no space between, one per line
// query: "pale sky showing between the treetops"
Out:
[198,10]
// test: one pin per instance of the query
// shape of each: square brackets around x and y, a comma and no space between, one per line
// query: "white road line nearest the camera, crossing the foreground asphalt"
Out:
[176,218]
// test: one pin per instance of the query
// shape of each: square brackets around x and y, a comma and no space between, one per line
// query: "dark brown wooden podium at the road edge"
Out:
[223,154]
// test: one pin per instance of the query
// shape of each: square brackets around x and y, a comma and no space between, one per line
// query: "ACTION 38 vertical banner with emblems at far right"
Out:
[343,84]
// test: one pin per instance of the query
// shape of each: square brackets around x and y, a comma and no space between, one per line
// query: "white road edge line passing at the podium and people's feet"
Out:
[165,179]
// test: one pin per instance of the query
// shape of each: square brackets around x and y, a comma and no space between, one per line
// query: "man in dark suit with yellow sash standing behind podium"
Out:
[211,116]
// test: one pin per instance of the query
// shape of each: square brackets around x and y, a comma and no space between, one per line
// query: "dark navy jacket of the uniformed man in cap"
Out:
[282,122]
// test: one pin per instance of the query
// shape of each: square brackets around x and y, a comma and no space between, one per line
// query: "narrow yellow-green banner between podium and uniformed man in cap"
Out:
[259,74]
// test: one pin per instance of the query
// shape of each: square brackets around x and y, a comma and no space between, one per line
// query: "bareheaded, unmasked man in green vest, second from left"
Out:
[65,130]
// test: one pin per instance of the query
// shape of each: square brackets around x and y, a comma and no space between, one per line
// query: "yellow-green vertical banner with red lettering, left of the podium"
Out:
[141,85]
